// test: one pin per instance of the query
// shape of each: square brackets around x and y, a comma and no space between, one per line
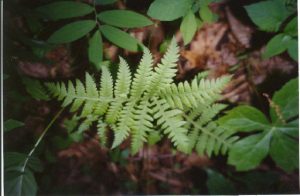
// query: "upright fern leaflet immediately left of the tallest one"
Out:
[143,75]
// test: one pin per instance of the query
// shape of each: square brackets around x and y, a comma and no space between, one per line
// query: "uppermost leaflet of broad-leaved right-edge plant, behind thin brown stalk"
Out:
[287,98]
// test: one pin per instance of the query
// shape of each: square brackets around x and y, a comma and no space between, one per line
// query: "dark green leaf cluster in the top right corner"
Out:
[275,16]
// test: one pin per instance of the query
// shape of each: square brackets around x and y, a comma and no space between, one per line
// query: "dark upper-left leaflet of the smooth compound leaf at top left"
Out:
[64,9]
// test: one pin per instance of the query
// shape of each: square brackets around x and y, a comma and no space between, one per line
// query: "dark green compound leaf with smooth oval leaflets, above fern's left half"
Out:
[105,23]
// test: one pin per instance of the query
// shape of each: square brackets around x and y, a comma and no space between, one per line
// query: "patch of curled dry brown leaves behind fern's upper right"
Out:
[217,48]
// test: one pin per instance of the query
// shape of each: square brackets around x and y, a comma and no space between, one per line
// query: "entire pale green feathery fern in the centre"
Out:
[149,103]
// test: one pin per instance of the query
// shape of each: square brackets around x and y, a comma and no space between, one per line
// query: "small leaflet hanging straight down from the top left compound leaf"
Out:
[95,49]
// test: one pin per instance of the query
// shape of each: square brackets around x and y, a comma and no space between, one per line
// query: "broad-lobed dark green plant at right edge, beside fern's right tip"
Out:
[278,137]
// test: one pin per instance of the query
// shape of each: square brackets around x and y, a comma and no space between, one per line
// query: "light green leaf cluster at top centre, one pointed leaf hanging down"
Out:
[169,10]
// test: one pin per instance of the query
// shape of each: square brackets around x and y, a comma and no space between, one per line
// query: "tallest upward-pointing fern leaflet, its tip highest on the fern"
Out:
[165,71]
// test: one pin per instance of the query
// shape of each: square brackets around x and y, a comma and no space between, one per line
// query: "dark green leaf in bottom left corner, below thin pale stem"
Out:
[19,184]
